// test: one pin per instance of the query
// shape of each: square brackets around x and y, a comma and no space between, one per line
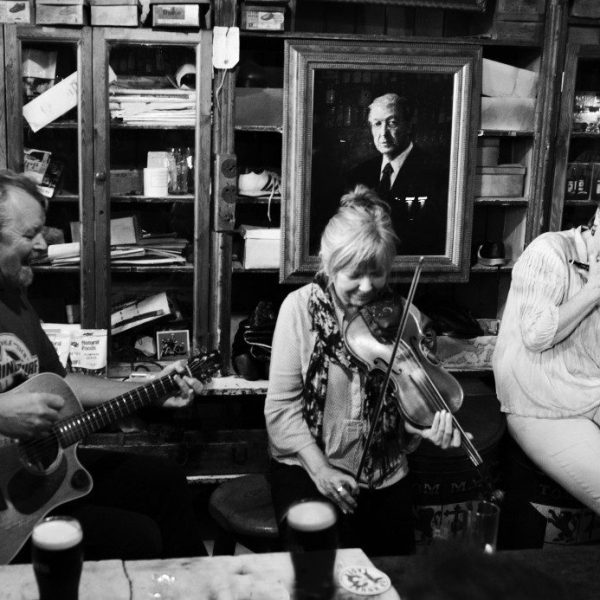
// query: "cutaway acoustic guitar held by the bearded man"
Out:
[38,475]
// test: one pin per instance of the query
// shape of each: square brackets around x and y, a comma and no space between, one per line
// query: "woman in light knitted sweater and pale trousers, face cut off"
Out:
[547,359]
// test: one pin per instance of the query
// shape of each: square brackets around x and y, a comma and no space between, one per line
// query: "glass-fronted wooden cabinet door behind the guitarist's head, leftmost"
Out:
[36,60]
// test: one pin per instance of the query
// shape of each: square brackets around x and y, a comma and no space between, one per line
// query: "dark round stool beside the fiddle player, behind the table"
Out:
[243,511]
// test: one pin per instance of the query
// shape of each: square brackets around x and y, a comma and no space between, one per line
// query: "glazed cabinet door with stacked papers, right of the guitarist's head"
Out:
[142,106]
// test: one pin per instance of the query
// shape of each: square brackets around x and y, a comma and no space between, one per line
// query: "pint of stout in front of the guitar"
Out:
[57,557]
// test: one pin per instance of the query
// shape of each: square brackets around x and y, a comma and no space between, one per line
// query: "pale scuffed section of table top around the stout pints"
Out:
[243,577]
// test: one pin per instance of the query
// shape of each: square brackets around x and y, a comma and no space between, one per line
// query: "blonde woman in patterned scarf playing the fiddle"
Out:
[318,408]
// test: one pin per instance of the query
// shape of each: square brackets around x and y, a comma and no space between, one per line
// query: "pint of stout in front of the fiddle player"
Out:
[311,534]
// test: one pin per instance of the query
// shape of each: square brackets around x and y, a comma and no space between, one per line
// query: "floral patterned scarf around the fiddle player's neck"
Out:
[389,438]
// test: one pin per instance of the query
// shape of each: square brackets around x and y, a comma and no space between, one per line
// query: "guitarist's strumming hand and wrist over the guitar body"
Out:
[25,415]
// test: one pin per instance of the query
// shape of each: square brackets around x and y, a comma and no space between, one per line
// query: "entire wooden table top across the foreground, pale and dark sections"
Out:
[270,576]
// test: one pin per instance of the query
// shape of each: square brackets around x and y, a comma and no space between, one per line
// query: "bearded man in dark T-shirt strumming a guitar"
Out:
[139,507]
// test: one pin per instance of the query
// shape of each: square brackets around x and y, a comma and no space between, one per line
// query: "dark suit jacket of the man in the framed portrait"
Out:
[418,199]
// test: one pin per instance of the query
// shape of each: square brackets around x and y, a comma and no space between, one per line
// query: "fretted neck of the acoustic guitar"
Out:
[75,428]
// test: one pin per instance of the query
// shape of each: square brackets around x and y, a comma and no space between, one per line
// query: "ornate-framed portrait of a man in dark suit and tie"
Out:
[398,118]
